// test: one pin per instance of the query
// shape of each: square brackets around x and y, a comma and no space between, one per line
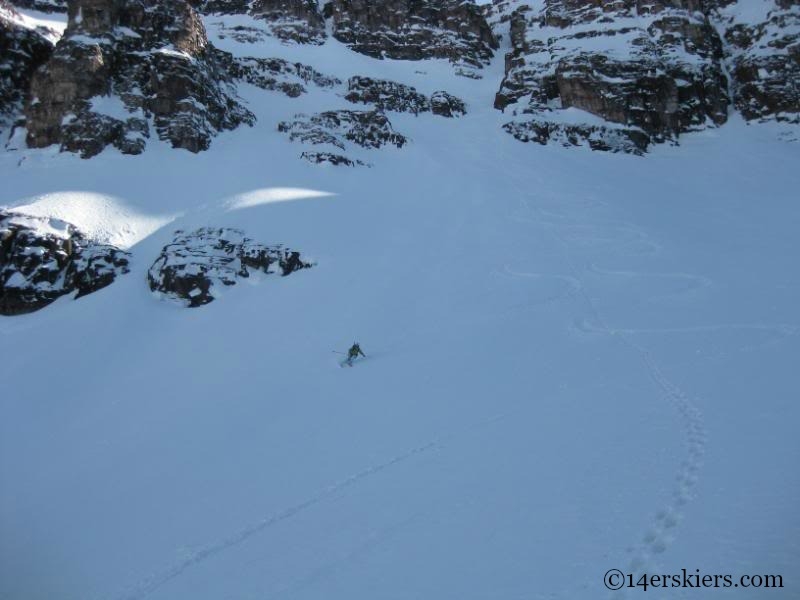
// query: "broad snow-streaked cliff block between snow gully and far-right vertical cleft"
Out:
[656,68]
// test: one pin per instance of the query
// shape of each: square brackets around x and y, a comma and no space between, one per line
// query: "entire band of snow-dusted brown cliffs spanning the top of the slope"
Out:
[615,76]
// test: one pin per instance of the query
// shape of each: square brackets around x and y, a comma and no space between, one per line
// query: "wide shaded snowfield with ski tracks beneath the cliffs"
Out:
[577,361]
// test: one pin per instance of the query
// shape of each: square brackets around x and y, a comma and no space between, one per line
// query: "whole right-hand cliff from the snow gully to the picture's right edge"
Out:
[622,75]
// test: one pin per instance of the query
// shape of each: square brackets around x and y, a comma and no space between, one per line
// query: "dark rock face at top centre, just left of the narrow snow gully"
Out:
[414,29]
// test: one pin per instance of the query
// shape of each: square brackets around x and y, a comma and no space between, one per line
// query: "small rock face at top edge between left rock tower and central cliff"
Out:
[289,20]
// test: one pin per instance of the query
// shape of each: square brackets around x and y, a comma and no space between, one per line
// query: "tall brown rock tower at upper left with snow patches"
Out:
[124,66]
